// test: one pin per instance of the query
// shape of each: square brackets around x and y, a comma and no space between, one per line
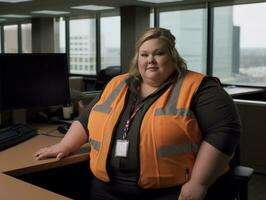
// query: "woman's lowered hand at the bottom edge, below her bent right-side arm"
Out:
[193,191]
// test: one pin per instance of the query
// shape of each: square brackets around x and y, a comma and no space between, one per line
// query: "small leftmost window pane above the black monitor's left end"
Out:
[11,38]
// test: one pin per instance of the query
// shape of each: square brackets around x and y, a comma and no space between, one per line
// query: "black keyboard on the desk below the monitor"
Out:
[15,134]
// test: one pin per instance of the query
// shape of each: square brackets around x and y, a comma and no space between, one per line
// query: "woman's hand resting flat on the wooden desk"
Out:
[57,151]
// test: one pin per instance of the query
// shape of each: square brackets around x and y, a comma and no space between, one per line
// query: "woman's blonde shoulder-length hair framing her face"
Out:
[169,40]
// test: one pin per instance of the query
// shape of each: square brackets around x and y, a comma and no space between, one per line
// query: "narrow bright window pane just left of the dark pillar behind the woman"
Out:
[110,41]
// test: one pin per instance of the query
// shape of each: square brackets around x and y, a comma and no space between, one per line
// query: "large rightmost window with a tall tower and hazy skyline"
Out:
[239,51]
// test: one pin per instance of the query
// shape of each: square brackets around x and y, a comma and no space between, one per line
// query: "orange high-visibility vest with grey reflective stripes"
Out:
[169,135]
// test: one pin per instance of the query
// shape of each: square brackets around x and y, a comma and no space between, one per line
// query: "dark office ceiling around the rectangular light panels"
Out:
[26,8]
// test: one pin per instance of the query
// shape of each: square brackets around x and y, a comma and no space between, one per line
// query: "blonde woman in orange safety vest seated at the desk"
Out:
[158,132]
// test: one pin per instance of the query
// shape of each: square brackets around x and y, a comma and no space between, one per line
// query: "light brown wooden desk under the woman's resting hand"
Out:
[19,160]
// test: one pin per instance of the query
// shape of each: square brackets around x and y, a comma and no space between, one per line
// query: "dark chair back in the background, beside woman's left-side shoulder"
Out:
[105,75]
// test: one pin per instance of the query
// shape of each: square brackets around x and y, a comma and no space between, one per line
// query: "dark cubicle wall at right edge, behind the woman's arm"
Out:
[253,136]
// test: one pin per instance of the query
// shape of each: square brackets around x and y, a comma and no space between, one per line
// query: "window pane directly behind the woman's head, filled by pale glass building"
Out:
[190,29]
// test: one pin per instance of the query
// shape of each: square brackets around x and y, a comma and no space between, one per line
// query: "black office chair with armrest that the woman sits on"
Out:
[234,184]
